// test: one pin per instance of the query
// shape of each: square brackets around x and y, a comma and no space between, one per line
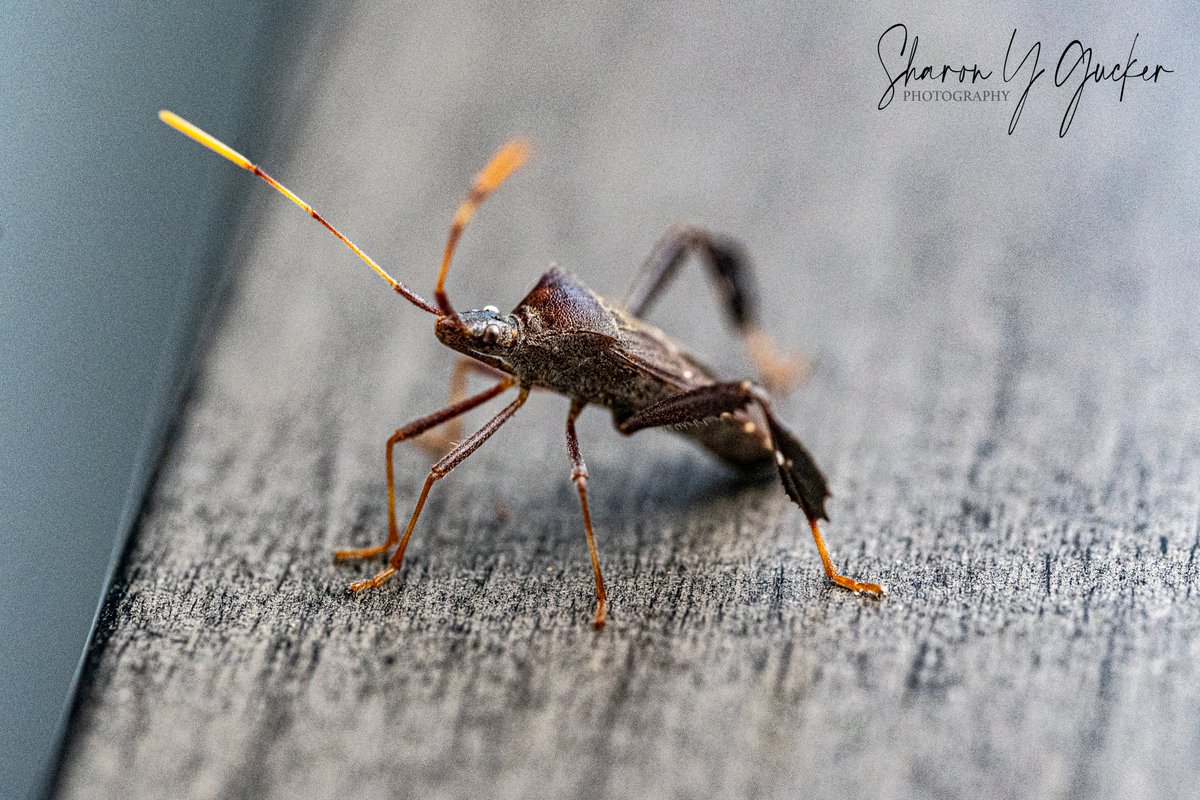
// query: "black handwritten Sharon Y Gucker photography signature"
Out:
[1078,64]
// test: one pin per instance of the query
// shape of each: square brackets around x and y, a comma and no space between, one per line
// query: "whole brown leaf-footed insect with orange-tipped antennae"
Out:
[566,339]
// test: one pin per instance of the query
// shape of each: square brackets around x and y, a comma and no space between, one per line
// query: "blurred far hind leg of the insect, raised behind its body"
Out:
[731,276]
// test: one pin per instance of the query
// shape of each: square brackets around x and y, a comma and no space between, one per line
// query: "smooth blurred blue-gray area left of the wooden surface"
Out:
[109,262]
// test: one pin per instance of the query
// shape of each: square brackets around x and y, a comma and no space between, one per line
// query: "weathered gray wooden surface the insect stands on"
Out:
[1005,398]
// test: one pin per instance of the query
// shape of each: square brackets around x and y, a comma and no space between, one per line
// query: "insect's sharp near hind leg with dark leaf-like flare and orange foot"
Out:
[801,477]
